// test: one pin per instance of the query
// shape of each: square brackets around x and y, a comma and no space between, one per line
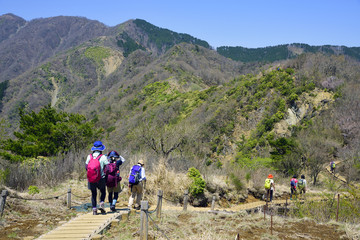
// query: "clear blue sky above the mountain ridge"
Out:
[251,23]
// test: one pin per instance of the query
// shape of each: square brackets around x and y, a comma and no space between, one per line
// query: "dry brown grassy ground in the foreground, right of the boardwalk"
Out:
[206,226]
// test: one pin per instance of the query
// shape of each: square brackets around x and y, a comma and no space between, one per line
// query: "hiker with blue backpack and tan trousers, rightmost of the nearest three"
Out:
[137,182]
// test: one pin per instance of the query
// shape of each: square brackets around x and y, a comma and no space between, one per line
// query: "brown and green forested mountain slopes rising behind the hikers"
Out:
[165,94]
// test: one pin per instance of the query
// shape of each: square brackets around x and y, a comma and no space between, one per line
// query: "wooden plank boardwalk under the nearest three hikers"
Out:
[85,226]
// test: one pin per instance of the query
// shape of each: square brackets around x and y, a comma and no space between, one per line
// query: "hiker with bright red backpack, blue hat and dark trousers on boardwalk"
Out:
[95,164]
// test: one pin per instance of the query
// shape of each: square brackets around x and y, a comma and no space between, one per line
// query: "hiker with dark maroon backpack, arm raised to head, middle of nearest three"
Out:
[113,177]
